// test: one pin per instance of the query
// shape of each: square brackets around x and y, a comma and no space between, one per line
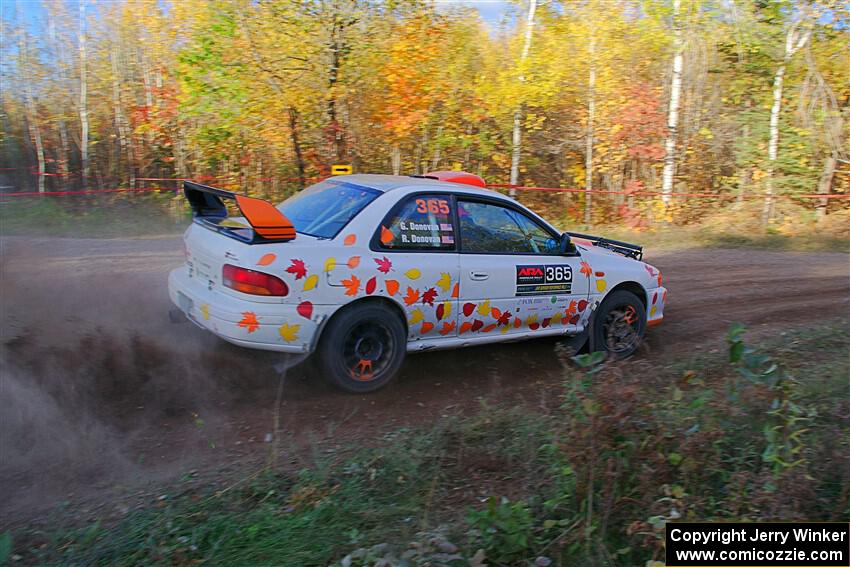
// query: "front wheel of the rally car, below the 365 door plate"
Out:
[619,324]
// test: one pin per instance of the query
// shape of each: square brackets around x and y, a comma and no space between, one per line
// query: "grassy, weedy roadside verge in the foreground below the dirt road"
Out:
[755,434]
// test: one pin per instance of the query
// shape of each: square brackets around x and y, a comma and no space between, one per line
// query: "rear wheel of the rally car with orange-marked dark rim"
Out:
[362,348]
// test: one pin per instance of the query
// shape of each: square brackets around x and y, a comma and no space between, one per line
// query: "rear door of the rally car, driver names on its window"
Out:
[416,250]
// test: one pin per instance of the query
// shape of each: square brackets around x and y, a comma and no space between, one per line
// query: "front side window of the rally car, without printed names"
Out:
[491,228]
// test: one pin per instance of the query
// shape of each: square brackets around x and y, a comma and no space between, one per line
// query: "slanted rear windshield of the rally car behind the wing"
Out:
[325,208]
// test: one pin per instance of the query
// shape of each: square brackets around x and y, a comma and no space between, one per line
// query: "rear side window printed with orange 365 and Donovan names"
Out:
[422,222]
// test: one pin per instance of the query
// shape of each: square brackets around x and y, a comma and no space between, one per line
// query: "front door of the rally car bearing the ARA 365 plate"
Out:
[513,278]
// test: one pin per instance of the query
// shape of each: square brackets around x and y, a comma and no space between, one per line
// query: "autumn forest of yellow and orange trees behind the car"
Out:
[643,110]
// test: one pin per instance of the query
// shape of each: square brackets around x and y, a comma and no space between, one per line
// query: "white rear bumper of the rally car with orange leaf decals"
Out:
[252,324]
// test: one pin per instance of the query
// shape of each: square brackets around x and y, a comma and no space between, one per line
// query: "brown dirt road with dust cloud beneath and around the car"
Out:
[101,392]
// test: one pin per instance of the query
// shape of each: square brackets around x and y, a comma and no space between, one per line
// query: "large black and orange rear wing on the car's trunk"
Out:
[267,223]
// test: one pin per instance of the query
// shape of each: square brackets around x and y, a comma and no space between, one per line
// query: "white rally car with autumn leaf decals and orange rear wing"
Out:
[364,268]
